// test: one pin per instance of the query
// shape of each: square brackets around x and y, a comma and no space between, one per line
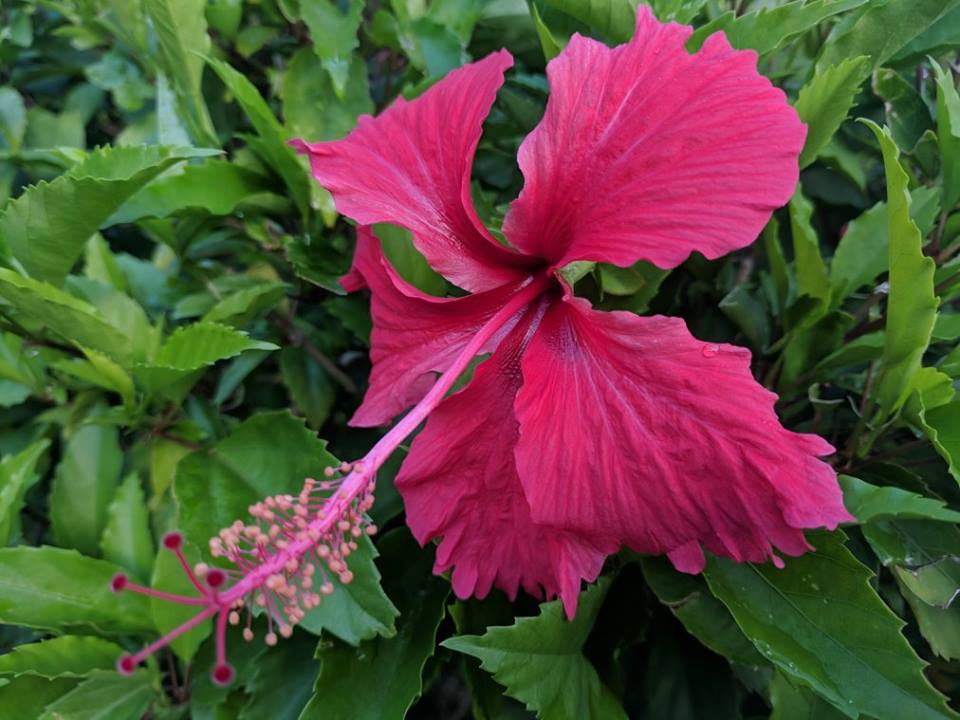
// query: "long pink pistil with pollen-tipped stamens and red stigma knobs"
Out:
[284,557]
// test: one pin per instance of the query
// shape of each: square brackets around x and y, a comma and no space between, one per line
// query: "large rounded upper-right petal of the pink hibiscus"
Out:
[648,153]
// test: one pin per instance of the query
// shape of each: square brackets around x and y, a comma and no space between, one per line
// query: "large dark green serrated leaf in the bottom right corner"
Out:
[822,624]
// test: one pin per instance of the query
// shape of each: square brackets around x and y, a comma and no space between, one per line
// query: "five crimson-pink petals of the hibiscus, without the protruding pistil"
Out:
[584,430]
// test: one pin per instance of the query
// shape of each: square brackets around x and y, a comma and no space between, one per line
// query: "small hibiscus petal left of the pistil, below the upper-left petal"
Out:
[414,334]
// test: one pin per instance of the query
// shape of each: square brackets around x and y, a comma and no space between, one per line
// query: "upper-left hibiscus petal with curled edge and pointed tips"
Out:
[411,166]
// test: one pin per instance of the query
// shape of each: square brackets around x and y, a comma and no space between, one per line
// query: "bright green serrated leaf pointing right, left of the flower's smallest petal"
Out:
[192,348]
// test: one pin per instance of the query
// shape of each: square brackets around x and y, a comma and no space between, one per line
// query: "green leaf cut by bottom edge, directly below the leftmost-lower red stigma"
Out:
[105,697]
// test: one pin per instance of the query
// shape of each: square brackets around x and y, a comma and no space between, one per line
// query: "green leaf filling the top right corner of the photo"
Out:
[883,30]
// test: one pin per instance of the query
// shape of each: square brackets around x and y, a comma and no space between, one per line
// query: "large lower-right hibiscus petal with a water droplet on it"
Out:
[631,427]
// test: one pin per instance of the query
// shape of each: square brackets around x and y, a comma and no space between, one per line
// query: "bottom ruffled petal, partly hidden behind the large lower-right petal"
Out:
[459,482]
